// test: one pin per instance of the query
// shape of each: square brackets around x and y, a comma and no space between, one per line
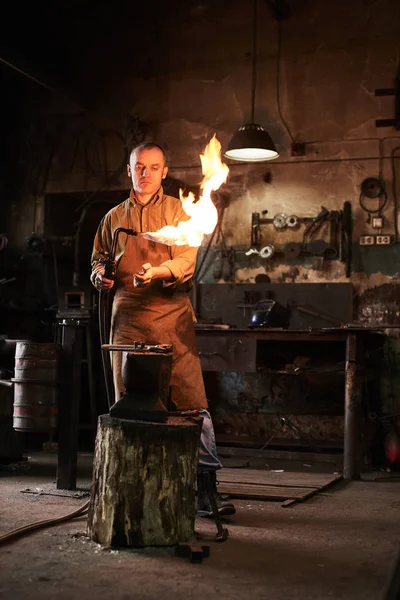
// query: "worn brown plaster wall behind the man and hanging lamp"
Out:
[190,77]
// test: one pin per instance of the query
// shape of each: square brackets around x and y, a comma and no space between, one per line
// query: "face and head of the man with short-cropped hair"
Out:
[146,169]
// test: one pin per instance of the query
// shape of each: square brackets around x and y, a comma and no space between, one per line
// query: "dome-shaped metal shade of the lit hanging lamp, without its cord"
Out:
[251,143]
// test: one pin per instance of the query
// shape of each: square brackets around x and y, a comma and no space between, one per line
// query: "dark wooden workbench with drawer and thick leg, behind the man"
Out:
[240,350]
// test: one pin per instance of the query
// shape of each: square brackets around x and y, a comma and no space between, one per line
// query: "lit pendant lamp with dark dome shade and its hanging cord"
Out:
[252,143]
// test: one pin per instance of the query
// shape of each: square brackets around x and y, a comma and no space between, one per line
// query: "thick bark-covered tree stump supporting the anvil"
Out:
[144,479]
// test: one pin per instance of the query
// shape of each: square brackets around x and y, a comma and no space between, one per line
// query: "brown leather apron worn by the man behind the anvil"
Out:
[156,315]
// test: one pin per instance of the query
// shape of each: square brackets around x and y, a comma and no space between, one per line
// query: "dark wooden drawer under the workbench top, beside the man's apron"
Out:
[225,354]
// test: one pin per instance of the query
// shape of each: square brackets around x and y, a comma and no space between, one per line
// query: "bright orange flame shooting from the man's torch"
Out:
[203,214]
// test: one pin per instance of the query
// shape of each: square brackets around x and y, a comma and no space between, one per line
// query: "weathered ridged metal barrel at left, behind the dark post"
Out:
[35,386]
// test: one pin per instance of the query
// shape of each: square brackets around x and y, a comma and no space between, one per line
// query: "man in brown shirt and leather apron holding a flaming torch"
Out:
[151,302]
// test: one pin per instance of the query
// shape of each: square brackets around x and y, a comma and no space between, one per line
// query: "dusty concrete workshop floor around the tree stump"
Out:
[340,544]
